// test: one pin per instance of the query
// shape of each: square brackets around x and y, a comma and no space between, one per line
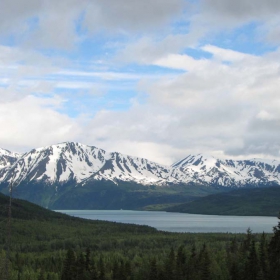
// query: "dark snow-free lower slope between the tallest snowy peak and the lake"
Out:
[105,194]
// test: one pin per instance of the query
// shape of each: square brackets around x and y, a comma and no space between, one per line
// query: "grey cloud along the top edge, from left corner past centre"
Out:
[53,24]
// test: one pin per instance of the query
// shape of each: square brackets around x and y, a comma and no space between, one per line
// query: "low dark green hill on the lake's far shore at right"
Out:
[241,202]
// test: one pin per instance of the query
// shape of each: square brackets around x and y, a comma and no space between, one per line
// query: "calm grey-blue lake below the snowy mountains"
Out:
[178,222]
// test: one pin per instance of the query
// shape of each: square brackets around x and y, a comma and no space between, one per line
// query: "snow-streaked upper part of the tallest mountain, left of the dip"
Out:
[77,162]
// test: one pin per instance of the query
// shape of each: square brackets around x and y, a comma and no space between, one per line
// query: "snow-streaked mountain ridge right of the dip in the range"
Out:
[208,170]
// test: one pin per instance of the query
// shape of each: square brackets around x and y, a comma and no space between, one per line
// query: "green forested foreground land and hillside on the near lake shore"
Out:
[51,246]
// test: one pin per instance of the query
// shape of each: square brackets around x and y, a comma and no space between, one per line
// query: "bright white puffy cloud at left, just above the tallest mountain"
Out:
[32,122]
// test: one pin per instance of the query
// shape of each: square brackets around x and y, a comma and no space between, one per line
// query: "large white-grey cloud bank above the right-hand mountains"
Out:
[229,110]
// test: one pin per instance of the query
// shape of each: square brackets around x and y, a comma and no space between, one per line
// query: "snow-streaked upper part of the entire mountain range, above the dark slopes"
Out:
[81,164]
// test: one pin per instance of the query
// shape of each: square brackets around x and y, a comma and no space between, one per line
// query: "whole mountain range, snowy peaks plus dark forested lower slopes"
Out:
[58,175]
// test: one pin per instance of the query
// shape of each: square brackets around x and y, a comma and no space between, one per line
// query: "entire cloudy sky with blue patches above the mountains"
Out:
[158,79]
